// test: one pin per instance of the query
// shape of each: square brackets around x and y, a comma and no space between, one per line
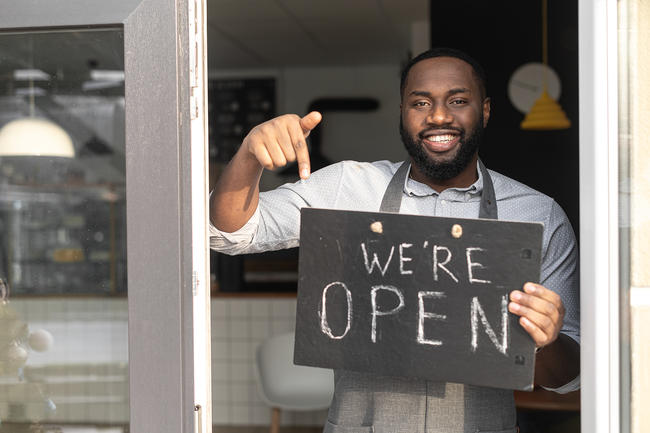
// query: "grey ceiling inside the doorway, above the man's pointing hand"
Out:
[279,33]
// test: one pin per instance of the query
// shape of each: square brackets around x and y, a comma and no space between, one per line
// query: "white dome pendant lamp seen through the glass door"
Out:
[34,136]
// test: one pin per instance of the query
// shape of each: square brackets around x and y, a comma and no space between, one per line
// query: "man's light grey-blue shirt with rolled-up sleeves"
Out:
[351,185]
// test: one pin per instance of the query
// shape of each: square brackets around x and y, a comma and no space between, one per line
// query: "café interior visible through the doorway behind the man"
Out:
[315,55]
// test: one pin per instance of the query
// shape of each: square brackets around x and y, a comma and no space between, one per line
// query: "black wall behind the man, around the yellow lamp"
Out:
[503,35]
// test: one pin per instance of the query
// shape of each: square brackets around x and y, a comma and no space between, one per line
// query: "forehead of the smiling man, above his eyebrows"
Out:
[441,73]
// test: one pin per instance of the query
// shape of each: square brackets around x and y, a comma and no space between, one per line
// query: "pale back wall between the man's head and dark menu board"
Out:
[364,136]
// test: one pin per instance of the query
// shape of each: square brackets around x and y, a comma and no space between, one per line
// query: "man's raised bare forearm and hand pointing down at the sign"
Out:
[269,145]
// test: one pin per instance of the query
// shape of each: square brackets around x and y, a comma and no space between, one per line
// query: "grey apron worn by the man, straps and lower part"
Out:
[366,403]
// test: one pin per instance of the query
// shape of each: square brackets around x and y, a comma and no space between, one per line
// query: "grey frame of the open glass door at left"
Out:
[165,274]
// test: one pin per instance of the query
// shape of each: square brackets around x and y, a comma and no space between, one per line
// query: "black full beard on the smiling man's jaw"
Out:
[442,171]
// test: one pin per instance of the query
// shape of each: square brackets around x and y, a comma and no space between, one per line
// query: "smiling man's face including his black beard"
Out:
[443,115]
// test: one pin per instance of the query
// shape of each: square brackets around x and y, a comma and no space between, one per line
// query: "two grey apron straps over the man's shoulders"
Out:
[392,200]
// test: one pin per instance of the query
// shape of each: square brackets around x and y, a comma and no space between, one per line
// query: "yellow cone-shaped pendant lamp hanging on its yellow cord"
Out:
[546,113]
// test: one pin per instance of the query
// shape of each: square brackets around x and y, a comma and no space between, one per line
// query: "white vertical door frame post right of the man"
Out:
[599,249]
